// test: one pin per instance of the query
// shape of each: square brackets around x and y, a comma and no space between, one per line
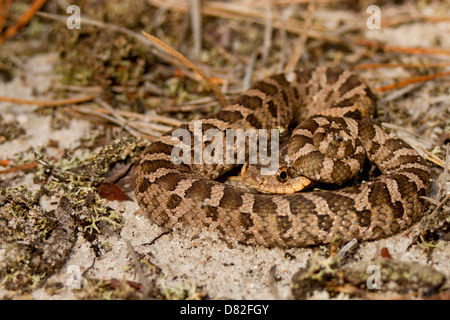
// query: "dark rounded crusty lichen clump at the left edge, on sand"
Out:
[34,242]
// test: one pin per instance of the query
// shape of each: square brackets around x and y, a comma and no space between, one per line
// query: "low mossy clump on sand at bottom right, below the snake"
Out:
[405,279]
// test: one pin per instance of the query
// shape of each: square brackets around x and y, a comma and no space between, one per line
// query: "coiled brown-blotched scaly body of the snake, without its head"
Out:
[178,196]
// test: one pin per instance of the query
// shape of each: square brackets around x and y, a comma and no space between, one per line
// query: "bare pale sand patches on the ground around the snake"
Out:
[205,263]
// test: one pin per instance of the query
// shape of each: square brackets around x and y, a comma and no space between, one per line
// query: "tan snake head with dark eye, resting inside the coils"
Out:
[285,180]
